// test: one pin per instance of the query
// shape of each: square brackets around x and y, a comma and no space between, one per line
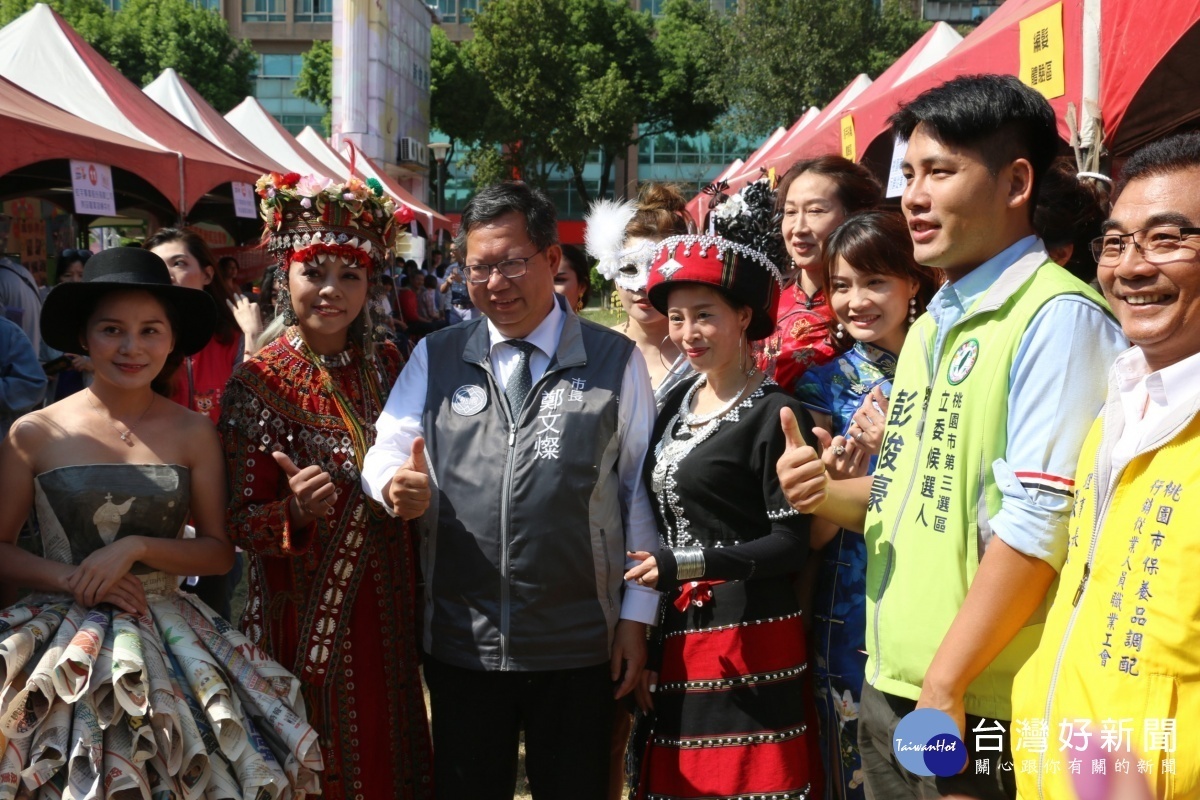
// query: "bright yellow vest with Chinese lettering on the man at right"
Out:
[1121,646]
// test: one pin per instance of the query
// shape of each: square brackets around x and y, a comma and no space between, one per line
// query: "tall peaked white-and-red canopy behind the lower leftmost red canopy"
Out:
[43,55]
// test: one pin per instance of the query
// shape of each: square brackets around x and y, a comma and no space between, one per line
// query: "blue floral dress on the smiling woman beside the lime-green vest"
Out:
[839,606]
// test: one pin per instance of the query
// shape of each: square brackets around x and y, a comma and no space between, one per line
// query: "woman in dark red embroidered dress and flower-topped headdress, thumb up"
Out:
[332,576]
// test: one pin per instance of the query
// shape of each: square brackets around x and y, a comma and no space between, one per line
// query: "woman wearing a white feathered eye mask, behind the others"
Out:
[622,237]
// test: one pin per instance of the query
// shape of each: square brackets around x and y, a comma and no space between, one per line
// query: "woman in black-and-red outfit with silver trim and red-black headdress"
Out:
[730,699]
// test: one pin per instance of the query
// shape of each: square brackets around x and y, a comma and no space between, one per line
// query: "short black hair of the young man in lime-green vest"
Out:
[997,116]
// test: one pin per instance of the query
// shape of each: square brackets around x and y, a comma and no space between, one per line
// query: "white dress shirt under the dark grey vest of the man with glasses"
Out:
[401,424]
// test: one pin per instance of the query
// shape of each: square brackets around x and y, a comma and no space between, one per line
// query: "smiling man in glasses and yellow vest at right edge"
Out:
[1119,667]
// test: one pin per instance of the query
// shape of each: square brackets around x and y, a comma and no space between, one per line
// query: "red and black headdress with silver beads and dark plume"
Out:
[741,258]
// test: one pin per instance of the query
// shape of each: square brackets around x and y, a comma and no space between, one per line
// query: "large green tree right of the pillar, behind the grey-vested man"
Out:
[551,82]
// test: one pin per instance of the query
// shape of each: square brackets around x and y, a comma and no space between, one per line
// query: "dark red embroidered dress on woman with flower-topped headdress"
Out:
[335,603]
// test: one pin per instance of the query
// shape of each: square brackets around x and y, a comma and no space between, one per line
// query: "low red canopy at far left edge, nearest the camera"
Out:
[49,137]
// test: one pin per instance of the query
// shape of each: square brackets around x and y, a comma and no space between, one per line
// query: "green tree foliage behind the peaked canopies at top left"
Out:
[147,37]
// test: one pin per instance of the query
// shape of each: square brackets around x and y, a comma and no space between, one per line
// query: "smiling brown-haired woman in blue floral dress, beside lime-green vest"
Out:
[877,291]
